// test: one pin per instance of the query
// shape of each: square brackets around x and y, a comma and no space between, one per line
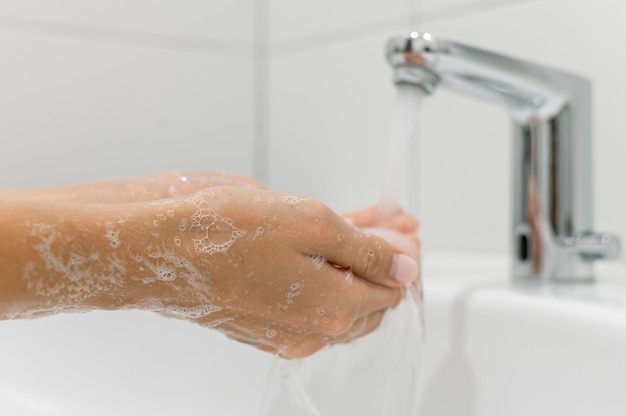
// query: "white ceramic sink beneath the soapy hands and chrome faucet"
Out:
[491,349]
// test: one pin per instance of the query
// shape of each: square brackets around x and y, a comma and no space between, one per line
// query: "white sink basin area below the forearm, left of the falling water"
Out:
[125,363]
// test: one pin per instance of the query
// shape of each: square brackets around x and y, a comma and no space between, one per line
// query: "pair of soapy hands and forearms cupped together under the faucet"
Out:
[281,272]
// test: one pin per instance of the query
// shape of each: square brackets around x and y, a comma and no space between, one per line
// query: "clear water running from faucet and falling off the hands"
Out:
[376,374]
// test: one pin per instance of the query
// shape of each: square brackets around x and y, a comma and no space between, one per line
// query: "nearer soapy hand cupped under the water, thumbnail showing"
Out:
[282,272]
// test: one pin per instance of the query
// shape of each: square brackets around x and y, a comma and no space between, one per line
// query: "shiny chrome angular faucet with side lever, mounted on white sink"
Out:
[551,229]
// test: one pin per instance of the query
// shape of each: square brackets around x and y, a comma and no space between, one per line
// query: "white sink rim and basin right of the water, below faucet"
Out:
[498,348]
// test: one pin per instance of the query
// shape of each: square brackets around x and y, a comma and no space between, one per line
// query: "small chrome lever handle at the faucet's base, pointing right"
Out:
[591,245]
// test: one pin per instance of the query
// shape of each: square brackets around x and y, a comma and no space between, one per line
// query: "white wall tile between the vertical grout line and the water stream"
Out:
[329,111]
